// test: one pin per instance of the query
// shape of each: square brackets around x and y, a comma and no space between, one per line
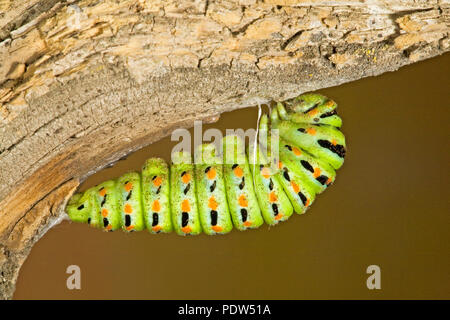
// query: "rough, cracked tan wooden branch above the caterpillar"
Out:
[82,83]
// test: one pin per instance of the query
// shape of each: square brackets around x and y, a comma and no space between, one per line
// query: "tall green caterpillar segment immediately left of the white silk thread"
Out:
[242,201]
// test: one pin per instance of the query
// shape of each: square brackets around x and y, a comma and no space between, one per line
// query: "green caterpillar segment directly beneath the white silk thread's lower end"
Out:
[273,201]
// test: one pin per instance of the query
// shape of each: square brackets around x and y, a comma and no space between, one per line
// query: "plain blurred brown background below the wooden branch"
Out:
[388,207]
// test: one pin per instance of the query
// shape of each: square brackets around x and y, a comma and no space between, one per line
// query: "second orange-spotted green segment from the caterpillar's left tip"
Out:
[129,190]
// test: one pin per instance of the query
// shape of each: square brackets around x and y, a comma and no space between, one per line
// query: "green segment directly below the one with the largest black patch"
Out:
[317,173]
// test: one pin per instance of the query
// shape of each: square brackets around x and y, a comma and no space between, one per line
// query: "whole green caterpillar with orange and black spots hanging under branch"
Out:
[213,195]
